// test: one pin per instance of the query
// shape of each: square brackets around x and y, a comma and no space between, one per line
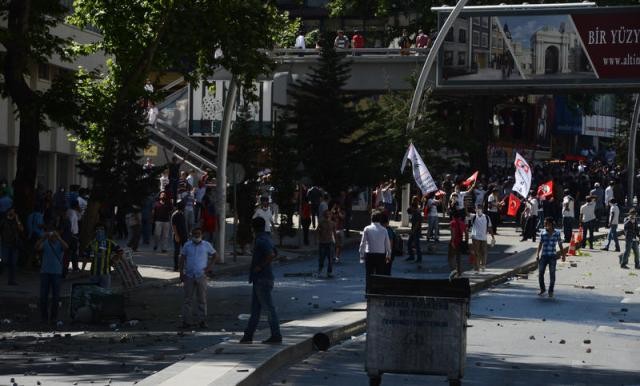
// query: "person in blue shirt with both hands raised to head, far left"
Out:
[52,247]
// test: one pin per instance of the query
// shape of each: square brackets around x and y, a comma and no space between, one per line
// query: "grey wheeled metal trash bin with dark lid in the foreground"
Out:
[417,327]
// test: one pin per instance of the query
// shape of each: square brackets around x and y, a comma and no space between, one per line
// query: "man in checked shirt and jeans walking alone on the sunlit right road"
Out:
[547,256]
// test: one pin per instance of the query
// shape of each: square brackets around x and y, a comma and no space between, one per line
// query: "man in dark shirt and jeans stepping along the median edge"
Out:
[261,276]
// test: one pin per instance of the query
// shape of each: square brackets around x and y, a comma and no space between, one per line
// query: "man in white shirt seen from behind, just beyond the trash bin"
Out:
[375,247]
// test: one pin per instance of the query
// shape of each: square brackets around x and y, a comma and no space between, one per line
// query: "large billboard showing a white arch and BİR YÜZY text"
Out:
[546,49]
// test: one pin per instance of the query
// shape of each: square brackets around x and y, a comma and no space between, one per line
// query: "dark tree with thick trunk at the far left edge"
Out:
[27,40]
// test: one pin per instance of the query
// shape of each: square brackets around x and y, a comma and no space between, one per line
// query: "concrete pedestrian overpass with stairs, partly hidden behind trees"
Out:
[189,114]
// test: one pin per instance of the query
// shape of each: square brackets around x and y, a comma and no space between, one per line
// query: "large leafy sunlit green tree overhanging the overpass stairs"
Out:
[145,36]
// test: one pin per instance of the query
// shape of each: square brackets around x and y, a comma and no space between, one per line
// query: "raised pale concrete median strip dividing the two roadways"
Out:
[230,363]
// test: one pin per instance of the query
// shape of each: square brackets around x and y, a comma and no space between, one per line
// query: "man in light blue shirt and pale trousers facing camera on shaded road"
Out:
[196,261]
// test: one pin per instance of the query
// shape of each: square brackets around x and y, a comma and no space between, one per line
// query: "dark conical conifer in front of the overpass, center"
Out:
[325,116]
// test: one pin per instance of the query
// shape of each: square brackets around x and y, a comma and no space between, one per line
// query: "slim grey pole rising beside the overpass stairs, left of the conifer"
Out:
[223,145]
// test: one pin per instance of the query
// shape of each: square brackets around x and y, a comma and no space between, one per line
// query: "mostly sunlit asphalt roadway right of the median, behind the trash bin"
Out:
[589,334]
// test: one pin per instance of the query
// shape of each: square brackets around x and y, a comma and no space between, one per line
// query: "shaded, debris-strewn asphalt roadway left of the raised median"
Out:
[122,354]
